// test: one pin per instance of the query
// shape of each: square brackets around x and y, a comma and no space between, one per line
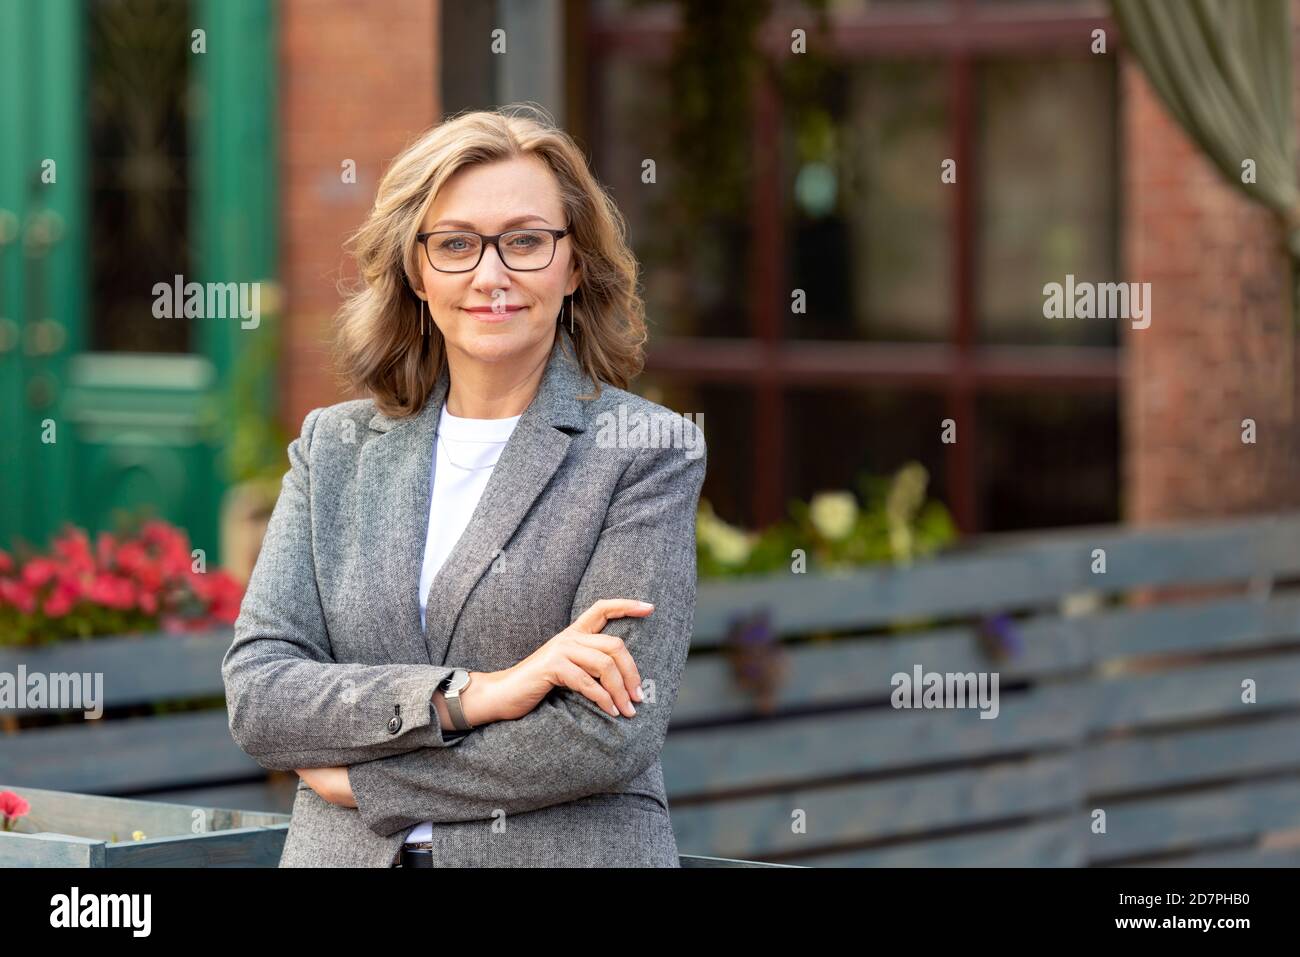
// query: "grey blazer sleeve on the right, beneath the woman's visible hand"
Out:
[569,747]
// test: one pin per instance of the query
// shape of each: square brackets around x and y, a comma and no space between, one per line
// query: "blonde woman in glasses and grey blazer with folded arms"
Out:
[447,631]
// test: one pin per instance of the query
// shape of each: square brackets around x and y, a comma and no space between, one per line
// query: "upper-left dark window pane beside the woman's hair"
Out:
[694,262]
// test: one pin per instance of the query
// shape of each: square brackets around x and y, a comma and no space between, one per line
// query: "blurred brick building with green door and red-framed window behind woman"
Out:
[775,172]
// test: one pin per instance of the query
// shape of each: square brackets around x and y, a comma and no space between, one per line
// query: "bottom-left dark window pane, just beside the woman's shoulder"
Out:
[729,425]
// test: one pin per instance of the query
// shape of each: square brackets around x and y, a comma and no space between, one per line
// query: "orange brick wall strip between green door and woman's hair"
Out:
[354,85]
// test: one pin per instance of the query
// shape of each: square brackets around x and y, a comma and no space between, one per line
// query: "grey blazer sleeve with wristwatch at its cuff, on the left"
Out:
[291,704]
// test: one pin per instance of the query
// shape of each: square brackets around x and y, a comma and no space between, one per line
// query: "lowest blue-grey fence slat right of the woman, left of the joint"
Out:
[1045,845]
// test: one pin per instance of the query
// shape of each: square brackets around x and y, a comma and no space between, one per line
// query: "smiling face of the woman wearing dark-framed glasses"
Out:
[492,314]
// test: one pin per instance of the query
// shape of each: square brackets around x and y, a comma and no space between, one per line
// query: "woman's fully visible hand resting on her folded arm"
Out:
[580,657]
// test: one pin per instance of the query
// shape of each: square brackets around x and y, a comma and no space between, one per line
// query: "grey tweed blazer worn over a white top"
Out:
[330,666]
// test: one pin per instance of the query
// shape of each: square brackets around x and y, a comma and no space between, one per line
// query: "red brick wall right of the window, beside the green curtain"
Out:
[1215,352]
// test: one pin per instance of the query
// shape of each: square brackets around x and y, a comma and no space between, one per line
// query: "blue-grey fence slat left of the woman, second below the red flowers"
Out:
[124,756]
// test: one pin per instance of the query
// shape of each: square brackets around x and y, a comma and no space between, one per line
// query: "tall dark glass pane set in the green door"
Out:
[140,76]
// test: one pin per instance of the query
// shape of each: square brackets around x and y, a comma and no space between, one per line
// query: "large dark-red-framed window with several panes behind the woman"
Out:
[922,300]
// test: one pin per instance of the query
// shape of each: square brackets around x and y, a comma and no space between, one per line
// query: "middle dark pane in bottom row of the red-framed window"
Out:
[839,438]
